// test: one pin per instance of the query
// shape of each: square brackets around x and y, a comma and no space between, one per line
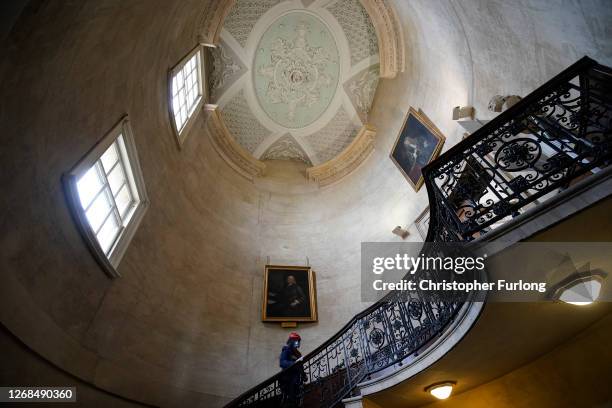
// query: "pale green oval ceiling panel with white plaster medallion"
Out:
[296,69]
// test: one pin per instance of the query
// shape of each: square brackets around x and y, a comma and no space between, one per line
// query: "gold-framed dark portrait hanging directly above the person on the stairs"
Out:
[289,294]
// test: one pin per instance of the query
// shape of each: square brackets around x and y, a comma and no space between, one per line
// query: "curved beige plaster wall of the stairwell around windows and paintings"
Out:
[181,327]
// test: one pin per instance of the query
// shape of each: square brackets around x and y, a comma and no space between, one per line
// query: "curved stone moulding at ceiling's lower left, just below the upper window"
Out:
[234,155]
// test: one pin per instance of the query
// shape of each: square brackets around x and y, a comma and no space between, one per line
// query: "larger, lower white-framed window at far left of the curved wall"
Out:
[107,194]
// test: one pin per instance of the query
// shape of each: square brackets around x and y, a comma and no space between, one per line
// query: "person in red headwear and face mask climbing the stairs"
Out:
[293,372]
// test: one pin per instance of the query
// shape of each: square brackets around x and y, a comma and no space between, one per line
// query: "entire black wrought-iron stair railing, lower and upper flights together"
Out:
[554,137]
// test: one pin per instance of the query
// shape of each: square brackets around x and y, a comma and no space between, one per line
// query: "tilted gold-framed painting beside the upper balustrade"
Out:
[418,143]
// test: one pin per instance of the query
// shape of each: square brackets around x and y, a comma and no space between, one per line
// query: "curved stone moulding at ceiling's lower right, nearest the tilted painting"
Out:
[347,161]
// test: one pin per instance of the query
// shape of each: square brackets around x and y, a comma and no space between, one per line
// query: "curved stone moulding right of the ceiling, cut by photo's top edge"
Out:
[391,45]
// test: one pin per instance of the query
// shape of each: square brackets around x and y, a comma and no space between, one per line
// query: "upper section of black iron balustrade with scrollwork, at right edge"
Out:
[554,137]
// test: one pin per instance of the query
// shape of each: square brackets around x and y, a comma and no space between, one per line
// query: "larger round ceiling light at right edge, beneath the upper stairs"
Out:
[580,289]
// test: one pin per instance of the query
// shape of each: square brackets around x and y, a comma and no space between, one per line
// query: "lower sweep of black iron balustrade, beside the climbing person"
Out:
[380,336]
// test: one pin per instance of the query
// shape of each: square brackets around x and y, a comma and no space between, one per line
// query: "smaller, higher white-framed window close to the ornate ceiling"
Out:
[186,91]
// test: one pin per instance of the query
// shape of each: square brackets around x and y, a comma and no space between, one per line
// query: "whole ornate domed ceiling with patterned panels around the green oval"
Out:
[294,80]
